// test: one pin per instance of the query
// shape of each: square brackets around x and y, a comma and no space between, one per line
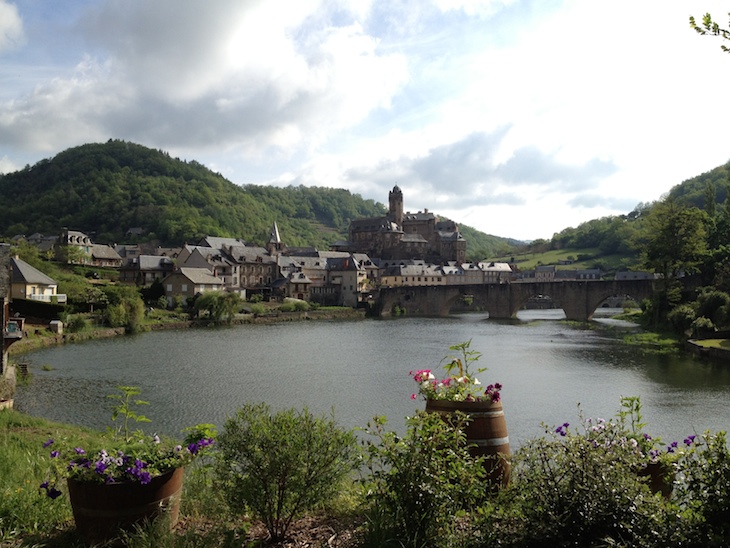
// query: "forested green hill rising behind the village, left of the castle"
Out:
[106,189]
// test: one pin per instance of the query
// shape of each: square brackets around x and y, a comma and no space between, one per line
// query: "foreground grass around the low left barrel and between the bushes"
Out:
[29,518]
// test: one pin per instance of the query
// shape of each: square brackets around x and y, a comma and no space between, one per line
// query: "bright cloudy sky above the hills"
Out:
[517,118]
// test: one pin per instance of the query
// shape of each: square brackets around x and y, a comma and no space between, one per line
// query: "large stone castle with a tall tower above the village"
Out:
[400,235]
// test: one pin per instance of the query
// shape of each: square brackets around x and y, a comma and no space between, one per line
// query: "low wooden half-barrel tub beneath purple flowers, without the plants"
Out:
[101,511]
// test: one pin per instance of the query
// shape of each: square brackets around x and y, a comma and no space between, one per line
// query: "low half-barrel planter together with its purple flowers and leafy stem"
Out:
[128,478]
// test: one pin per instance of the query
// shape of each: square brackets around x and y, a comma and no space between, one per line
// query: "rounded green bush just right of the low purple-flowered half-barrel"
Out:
[283,464]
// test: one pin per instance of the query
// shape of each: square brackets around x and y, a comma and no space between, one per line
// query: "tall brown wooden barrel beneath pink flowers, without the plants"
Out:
[486,433]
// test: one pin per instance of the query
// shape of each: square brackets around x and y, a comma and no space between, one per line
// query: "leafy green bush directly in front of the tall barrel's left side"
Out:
[418,484]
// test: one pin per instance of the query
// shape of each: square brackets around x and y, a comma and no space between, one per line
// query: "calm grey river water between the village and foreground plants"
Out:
[360,369]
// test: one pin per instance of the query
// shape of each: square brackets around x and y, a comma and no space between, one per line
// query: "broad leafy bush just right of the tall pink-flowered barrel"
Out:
[578,489]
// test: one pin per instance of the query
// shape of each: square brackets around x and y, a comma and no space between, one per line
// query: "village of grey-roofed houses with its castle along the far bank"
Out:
[396,250]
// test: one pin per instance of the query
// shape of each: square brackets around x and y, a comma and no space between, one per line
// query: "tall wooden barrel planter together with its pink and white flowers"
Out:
[460,391]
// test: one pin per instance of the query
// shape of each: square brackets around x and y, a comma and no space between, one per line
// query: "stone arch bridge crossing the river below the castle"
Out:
[579,299]
